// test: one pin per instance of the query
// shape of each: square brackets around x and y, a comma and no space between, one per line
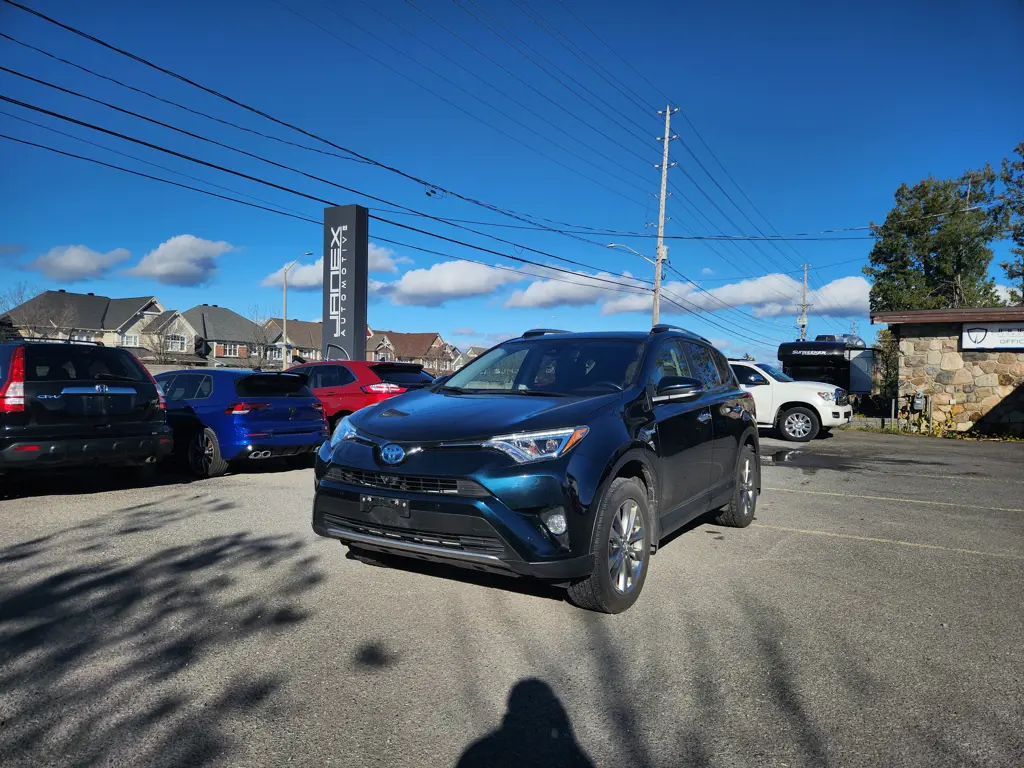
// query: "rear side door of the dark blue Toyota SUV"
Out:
[727,409]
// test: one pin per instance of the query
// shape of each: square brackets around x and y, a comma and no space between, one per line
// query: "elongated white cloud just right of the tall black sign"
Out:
[449,280]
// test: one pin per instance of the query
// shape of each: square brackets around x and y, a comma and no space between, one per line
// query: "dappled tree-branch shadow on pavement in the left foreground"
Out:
[111,659]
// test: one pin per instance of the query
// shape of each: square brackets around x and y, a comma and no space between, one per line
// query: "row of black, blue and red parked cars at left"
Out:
[68,404]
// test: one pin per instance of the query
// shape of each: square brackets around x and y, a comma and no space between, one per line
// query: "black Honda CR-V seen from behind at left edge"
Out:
[66,404]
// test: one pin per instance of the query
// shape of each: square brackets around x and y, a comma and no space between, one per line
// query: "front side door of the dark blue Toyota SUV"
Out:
[684,443]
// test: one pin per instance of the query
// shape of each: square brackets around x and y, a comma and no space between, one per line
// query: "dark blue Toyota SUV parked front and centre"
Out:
[566,457]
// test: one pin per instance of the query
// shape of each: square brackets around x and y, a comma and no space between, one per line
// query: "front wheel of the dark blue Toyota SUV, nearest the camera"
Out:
[620,572]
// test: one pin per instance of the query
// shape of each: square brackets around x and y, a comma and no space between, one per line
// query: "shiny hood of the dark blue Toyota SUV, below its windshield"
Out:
[424,416]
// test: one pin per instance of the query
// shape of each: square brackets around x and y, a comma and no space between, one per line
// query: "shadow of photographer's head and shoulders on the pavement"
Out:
[536,731]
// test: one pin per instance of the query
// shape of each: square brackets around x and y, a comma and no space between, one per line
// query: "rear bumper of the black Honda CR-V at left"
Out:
[76,453]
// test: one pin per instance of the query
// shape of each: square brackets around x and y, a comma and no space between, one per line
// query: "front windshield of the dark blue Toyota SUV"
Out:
[565,367]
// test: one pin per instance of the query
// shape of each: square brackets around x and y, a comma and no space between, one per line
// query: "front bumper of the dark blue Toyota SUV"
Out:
[467,527]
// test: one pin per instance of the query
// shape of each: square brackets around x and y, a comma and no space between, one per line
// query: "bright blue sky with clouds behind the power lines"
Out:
[819,113]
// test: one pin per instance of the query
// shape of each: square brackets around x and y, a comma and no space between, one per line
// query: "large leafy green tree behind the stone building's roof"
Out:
[934,249]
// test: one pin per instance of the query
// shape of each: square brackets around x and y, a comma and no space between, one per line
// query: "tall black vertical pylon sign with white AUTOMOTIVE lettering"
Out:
[347,247]
